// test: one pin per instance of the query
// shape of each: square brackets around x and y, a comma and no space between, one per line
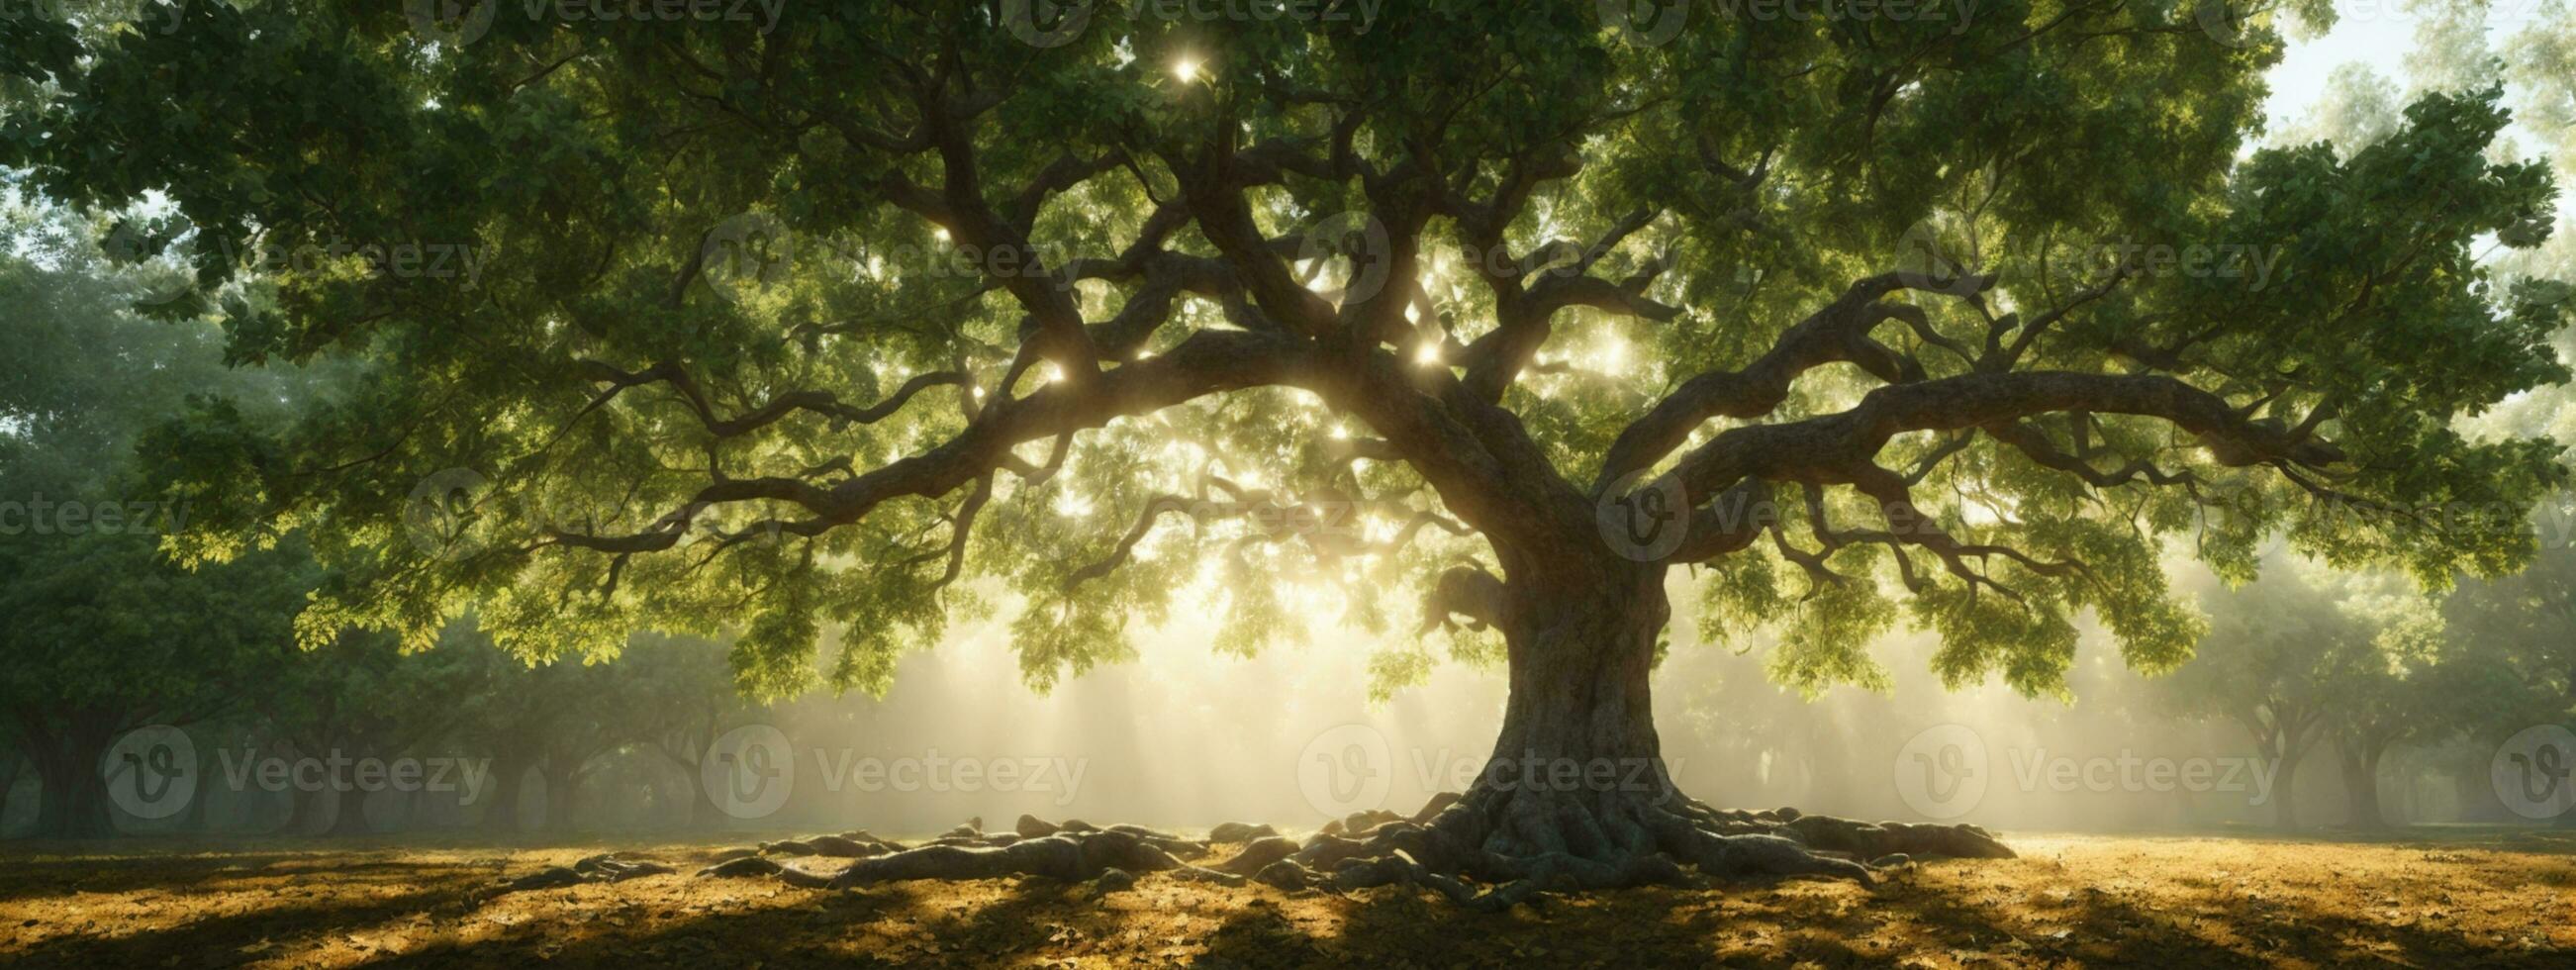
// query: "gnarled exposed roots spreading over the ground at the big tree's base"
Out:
[1488,850]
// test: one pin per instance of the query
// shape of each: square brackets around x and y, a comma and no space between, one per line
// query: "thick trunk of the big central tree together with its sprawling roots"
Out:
[1573,798]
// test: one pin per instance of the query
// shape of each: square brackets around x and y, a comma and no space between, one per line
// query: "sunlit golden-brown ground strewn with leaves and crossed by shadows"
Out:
[2423,902]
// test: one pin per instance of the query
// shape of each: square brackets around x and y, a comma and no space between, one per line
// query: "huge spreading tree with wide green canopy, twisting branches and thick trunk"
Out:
[1511,308]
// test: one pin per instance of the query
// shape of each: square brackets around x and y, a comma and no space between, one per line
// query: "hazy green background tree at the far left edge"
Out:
[104,633]
